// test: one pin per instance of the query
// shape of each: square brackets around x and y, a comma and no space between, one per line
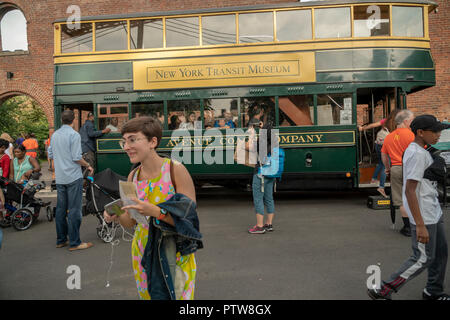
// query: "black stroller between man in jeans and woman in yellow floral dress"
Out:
[100,190]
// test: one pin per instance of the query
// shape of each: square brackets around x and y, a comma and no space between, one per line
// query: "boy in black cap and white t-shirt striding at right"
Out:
[420,199]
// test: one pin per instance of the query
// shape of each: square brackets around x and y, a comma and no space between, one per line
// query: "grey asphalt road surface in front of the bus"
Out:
[322,245]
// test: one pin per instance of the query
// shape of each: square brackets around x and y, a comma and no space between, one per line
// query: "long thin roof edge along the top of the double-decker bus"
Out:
[245,8]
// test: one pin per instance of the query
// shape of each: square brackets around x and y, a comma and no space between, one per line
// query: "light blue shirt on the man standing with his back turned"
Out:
[65,150]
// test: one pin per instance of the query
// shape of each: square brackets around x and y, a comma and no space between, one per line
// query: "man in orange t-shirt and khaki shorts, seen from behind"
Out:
[394,146]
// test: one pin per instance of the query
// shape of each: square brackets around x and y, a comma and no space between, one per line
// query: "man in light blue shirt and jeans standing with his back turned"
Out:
[65,150]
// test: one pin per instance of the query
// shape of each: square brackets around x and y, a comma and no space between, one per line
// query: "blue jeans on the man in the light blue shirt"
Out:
[68,212]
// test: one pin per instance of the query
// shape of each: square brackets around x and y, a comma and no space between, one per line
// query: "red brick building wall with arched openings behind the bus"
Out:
[33,69]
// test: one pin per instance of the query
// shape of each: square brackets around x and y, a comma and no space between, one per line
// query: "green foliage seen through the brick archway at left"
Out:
[21,115]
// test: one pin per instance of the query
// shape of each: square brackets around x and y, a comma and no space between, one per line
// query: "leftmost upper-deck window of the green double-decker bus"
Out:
[76,39]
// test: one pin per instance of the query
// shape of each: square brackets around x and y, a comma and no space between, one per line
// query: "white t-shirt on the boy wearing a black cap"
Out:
[415,160]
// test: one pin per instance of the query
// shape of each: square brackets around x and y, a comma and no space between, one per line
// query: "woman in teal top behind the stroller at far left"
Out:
[23,165]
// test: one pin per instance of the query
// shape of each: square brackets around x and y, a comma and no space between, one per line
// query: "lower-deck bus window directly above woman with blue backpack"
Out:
[262,109]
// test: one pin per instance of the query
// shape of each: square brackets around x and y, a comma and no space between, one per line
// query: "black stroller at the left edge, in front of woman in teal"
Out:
[22,208]
